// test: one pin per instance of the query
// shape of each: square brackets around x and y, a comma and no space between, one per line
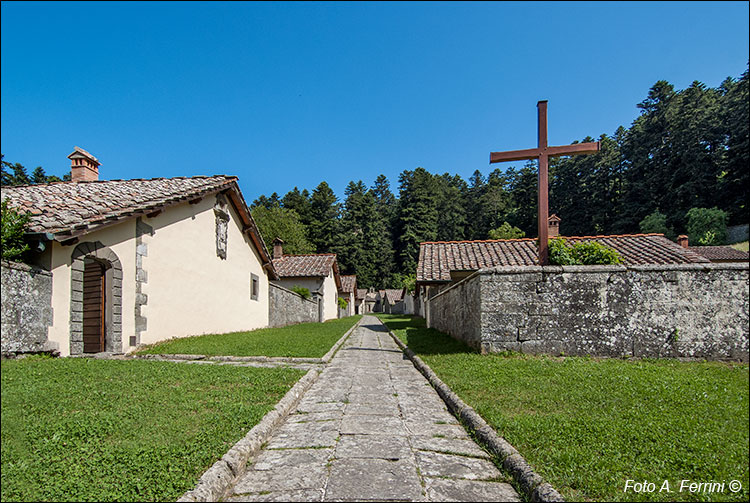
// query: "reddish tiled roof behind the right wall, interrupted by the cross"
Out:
[438,259]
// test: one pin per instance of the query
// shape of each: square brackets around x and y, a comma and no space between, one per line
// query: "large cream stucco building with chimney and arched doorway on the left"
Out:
[139,261]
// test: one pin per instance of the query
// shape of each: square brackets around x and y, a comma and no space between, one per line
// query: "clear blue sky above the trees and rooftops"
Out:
[285,94]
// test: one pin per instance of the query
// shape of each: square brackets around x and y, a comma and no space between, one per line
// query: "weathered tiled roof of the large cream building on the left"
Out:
[66,206]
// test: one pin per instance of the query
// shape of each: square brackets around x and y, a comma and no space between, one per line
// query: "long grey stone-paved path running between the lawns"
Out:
[371,428]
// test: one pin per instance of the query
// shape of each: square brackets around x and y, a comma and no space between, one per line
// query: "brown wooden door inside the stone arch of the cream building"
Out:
[93,306]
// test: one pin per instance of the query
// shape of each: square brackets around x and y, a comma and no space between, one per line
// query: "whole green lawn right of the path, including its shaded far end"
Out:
[588,425]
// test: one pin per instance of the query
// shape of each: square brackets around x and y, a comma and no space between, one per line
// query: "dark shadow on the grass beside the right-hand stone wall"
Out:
[424,341]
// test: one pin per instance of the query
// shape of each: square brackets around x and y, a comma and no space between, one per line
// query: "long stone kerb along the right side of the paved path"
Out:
[532,484]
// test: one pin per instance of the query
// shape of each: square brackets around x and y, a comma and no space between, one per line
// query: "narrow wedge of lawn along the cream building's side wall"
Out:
[305,340]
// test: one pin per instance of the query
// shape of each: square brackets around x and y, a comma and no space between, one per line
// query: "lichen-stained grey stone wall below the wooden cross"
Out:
[693,311]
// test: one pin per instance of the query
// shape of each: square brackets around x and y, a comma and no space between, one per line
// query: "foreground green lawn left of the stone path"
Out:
[79,429]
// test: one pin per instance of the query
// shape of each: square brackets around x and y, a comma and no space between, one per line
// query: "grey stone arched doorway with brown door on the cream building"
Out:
[95,300]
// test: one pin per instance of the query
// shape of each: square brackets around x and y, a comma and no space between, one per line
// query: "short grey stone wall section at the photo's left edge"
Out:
[26,308]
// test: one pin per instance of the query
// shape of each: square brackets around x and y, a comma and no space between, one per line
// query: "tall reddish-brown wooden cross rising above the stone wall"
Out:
[543,152]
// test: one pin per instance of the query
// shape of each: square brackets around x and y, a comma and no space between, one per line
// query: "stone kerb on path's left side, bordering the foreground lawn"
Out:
[215,481]
